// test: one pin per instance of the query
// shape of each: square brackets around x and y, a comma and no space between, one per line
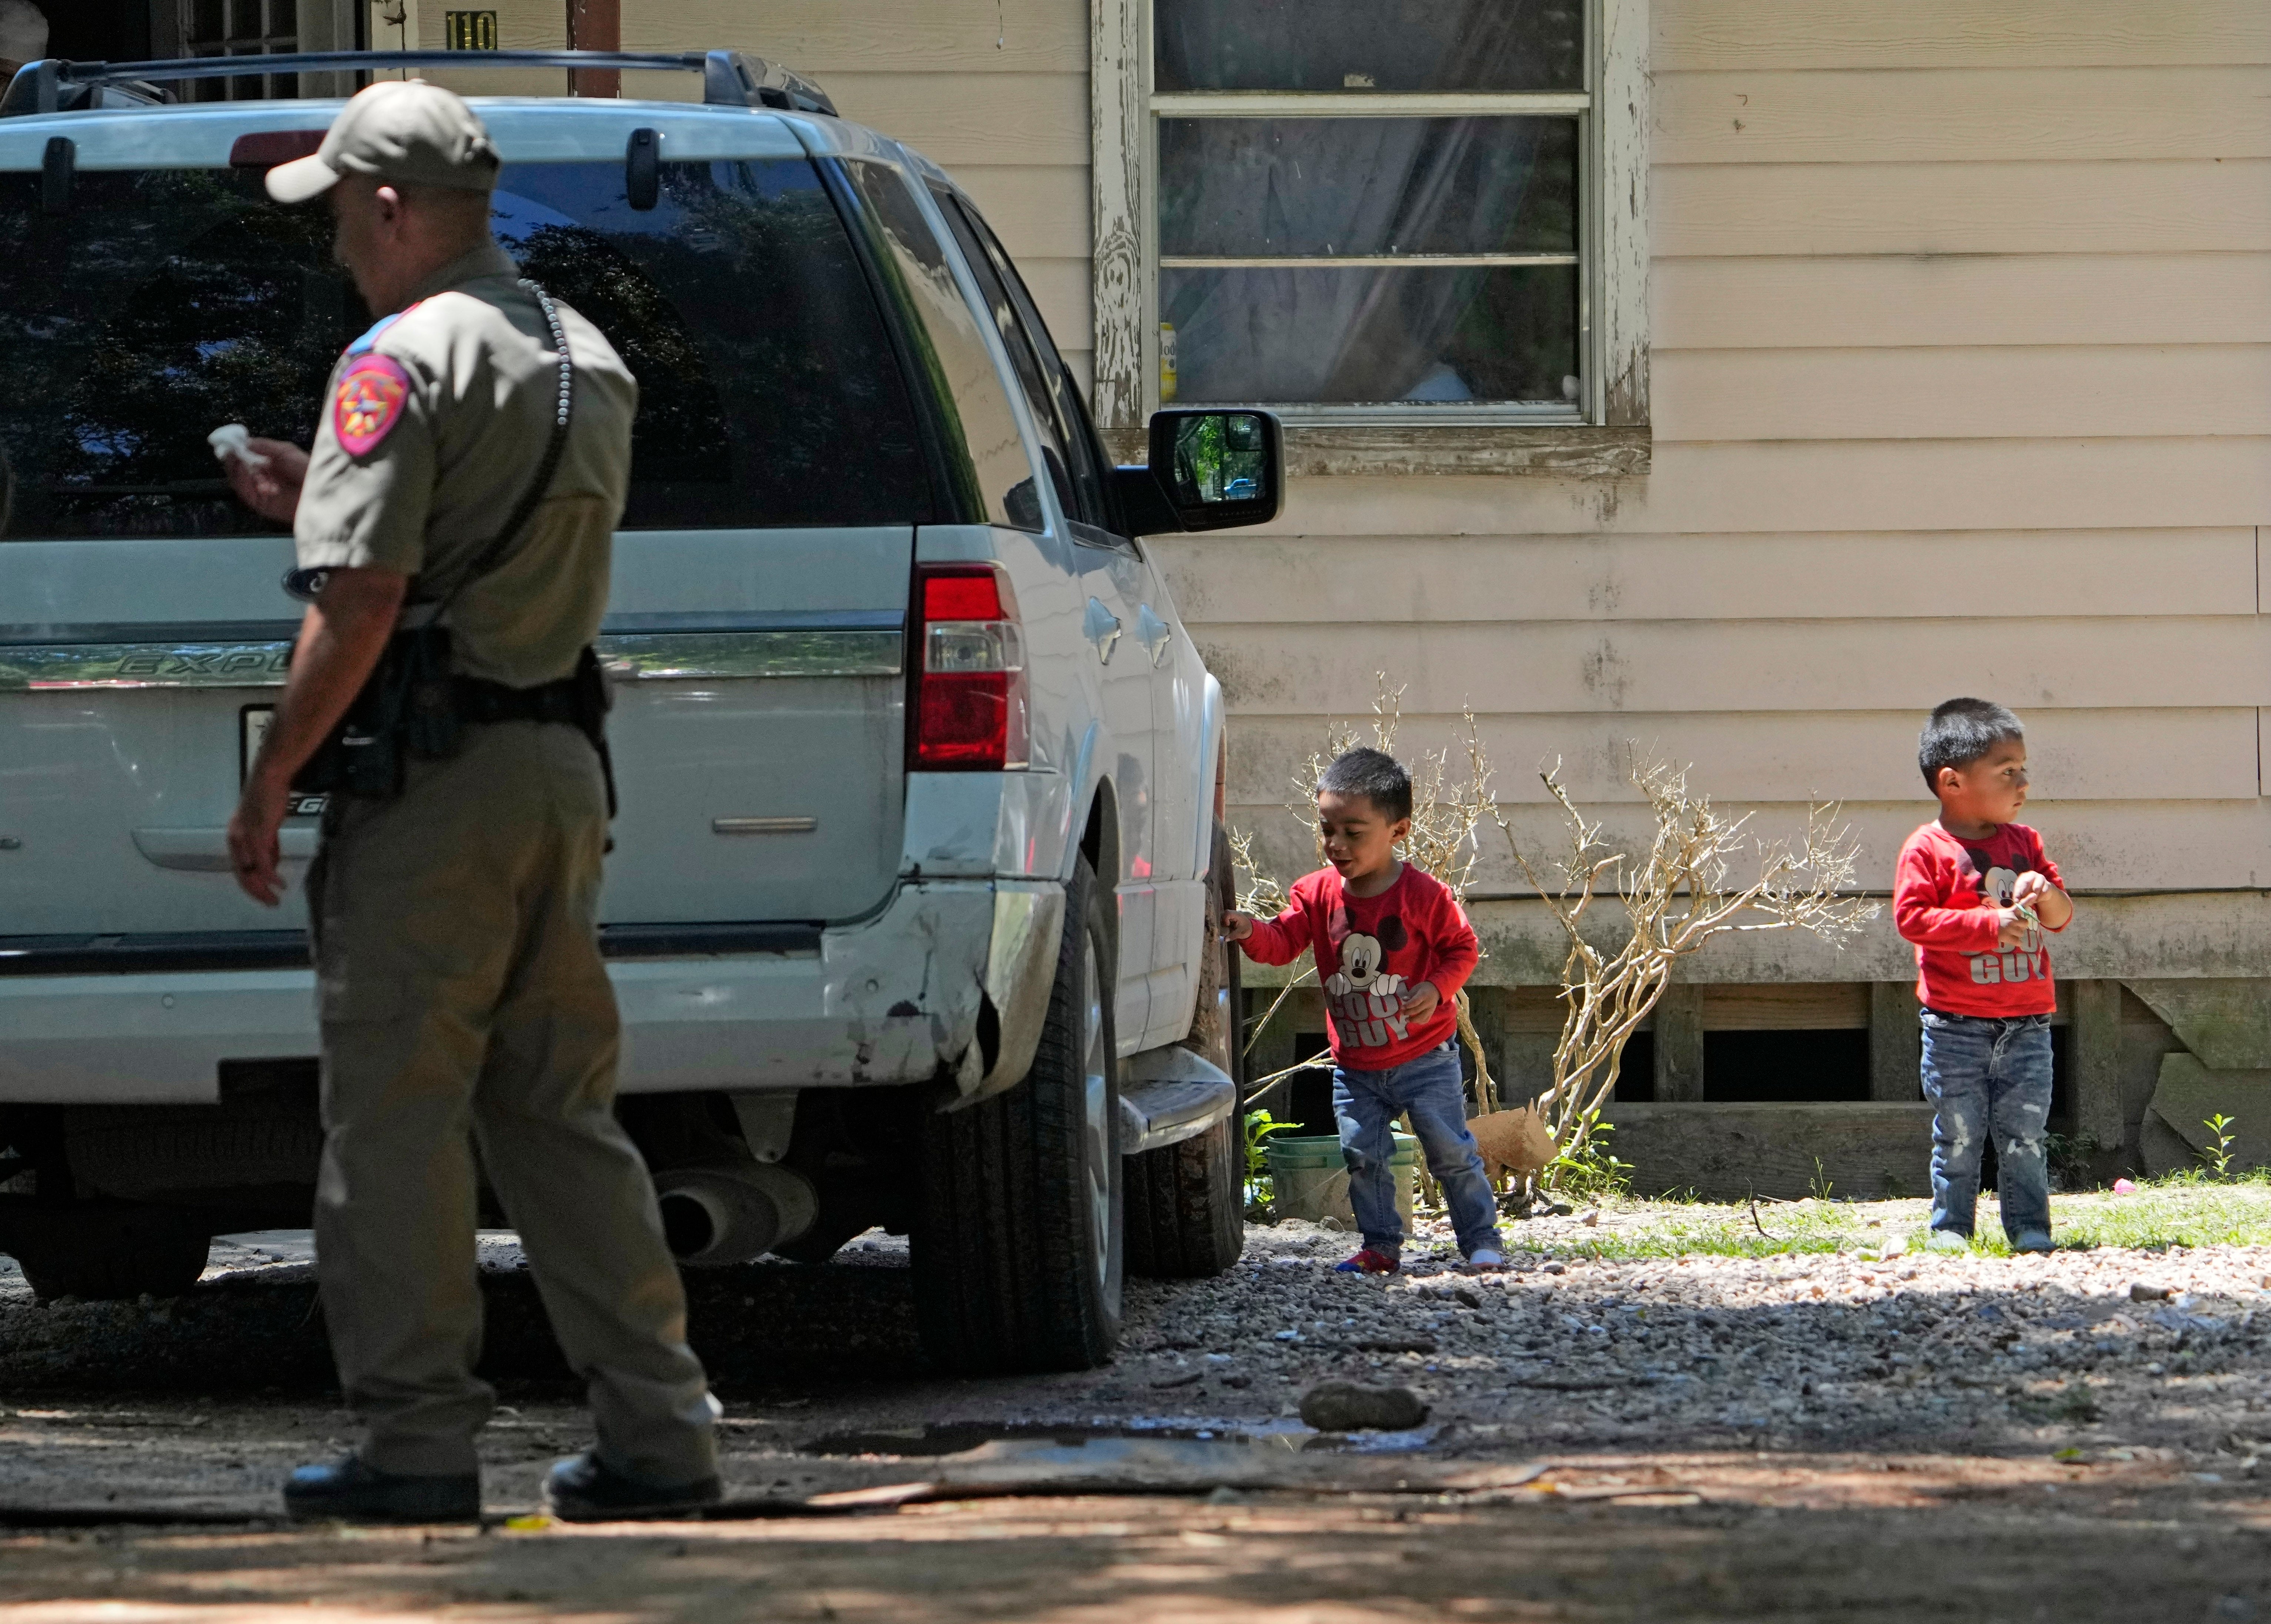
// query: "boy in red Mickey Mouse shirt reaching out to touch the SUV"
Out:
[1393,948]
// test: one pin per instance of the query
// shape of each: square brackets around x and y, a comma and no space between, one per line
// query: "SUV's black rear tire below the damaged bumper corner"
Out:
[1019,1241]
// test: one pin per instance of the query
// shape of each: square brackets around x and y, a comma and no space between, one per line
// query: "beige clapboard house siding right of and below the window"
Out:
[1963,385]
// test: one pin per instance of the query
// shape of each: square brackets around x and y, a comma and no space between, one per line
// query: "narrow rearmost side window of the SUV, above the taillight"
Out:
[955,353]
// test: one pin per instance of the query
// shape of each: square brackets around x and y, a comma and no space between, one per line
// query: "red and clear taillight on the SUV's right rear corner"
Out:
[971,698]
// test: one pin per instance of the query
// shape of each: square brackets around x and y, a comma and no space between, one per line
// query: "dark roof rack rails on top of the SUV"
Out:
[728,76]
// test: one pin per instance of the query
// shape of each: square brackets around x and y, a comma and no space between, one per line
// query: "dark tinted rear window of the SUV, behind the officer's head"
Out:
[169,303]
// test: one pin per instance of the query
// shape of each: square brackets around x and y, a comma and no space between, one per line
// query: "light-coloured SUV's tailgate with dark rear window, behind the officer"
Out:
[760,583]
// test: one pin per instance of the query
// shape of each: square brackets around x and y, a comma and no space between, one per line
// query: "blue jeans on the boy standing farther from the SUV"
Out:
[1988,1078]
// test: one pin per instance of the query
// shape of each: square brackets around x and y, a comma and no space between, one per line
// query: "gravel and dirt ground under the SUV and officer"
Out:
[1666,1439]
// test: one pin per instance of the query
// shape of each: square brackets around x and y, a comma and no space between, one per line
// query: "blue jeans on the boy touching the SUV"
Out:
[1436,1098]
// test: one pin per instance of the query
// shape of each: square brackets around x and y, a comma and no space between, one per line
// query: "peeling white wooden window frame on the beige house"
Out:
[1604,433]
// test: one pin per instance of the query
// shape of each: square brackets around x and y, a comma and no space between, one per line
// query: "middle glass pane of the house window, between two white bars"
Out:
[1339,187]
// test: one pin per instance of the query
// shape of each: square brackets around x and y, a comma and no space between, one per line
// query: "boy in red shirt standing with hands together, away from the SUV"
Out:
[1975,894]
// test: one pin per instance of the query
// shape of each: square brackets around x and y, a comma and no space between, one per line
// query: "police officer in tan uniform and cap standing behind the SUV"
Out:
[458,964]
